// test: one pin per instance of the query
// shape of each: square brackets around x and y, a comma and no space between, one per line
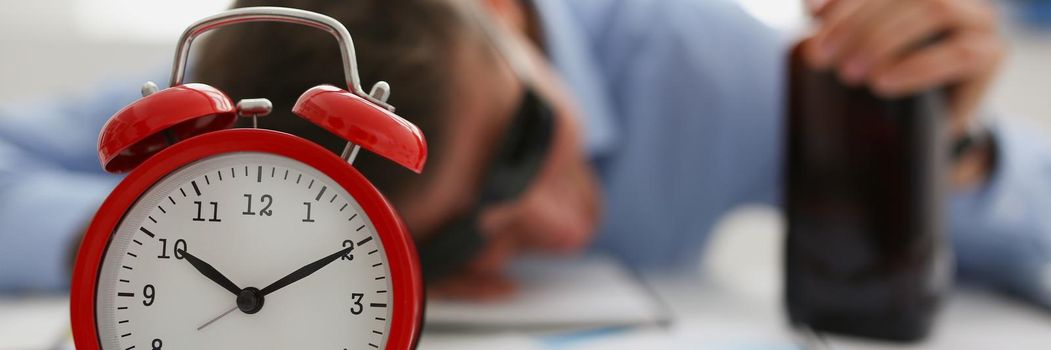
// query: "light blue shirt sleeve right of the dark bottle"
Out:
[1002,231]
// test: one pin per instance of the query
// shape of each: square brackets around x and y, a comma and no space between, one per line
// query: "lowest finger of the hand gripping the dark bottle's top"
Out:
[959,57]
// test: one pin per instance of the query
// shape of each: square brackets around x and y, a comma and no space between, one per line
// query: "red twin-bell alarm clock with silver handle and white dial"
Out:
[250,239]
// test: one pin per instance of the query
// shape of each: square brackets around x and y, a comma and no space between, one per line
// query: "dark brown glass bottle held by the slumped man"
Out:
[865,251]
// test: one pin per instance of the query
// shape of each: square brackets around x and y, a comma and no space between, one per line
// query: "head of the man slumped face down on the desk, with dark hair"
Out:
[450,75]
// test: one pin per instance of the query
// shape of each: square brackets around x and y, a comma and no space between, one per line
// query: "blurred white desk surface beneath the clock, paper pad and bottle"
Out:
[706,315]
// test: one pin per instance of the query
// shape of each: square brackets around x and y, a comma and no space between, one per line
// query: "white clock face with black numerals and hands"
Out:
[255,219]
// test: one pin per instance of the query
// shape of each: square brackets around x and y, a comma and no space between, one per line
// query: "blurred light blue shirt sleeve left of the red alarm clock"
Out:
[51,184]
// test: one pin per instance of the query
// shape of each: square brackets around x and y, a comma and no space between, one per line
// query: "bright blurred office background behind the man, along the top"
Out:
[53,48]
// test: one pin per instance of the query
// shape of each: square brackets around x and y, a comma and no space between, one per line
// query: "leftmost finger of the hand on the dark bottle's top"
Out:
[830,42]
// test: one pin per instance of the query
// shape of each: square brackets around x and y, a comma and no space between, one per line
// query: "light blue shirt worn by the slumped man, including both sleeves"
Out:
[683,107]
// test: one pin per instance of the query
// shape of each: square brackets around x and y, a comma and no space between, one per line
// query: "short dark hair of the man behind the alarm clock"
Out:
[408,44]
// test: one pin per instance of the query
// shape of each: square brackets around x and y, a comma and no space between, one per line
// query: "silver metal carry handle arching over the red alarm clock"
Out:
[269,14]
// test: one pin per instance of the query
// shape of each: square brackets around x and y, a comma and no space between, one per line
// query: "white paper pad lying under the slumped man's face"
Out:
[557,294]
